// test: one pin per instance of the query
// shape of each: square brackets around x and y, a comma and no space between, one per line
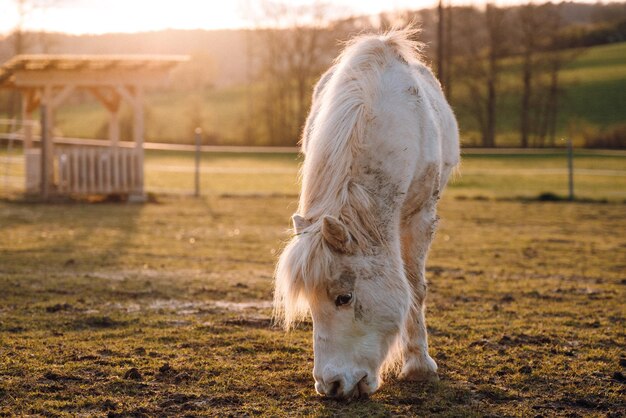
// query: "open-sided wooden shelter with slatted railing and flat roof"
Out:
[46,81]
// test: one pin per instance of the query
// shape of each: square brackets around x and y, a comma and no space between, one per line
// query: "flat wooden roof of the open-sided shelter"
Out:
[101,64]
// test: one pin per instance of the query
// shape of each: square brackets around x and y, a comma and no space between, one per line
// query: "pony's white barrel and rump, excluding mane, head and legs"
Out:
[412,131]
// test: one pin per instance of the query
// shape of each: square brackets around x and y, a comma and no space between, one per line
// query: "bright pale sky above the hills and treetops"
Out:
[103,16]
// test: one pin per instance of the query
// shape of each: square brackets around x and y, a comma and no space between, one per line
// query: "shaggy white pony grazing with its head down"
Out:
[379,144]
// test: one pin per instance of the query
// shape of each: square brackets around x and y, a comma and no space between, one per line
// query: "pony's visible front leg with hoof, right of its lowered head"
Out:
[418,232]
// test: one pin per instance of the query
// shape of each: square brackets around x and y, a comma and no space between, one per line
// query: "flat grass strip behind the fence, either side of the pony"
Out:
[598,175]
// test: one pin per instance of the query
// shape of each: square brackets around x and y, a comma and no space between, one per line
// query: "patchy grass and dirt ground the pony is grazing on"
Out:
[163,309]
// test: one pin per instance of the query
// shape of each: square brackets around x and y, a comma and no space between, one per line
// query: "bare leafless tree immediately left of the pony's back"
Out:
[291,51]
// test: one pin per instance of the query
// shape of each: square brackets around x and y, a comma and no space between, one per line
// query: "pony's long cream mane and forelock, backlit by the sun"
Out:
[334,136]
